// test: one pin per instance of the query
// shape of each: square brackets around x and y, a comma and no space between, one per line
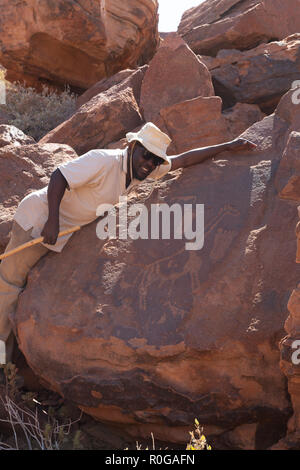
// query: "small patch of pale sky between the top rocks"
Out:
[170,12]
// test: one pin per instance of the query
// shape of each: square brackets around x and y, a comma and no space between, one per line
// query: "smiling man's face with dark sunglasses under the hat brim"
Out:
[143,162]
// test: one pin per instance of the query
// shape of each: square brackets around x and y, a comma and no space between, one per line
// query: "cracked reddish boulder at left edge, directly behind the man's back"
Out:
[23,169]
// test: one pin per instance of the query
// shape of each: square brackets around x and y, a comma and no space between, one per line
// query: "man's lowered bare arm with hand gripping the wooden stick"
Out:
[56,190]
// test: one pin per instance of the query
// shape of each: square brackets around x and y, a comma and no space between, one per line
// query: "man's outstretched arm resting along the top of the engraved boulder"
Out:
[195,156]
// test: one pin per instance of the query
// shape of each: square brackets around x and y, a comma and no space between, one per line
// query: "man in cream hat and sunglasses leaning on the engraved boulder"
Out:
[75,190]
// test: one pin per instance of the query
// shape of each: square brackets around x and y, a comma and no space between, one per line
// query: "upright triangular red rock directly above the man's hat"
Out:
[175,74]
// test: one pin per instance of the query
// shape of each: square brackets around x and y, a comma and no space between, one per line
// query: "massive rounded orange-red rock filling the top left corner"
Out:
[75,42]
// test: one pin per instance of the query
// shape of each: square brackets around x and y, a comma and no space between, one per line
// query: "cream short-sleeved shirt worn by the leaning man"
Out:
[97,177]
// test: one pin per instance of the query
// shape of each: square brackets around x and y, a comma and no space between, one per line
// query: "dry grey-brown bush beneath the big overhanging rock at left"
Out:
[37,113]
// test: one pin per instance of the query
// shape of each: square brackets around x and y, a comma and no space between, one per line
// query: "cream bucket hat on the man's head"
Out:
[153,139]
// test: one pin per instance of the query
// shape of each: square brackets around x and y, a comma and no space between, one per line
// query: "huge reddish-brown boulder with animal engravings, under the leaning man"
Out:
[148,334]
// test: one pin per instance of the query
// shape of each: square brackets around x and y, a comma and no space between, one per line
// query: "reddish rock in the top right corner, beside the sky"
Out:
[236,24]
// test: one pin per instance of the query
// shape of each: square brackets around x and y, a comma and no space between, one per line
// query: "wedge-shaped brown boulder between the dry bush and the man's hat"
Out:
[103,119]
